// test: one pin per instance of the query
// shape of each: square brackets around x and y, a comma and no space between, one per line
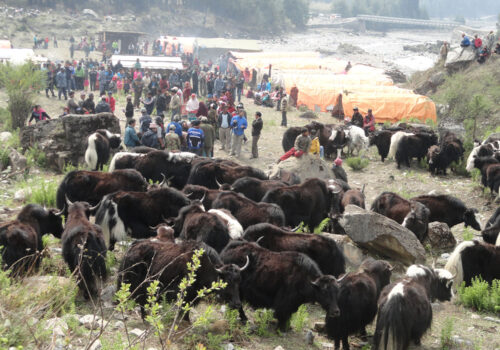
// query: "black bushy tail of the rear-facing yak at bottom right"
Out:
[390,331]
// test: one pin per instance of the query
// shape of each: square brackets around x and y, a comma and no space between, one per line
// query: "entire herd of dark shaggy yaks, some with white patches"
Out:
[173,204]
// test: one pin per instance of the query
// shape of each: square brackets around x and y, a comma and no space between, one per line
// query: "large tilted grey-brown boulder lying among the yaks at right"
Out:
[381,235]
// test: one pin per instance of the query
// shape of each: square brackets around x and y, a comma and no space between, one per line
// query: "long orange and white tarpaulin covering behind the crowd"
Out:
[362,86]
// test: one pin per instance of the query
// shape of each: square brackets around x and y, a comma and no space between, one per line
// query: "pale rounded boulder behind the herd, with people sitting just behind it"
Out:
[305,167]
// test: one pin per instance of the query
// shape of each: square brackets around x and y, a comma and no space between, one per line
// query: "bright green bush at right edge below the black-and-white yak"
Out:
[480,296]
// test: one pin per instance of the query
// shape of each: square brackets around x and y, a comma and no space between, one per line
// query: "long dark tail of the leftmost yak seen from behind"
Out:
[92,265]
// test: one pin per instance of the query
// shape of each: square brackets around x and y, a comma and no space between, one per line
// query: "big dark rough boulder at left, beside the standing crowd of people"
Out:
[64,140]
